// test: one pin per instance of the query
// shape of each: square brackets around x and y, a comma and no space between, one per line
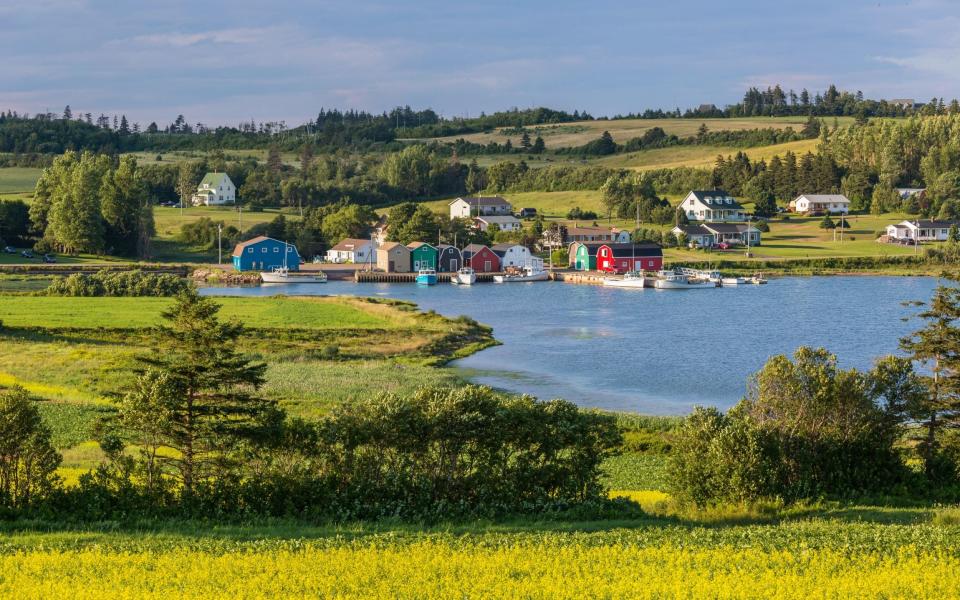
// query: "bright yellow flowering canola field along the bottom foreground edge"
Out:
[437,569]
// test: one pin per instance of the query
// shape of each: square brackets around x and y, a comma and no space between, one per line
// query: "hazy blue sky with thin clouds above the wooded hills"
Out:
[222,62]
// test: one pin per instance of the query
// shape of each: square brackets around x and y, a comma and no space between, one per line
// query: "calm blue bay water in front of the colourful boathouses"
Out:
[655,352]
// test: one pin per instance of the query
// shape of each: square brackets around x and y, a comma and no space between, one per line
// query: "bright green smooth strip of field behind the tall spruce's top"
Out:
[275,312]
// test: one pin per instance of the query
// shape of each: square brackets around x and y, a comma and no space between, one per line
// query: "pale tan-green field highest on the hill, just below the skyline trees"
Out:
[576,134]
